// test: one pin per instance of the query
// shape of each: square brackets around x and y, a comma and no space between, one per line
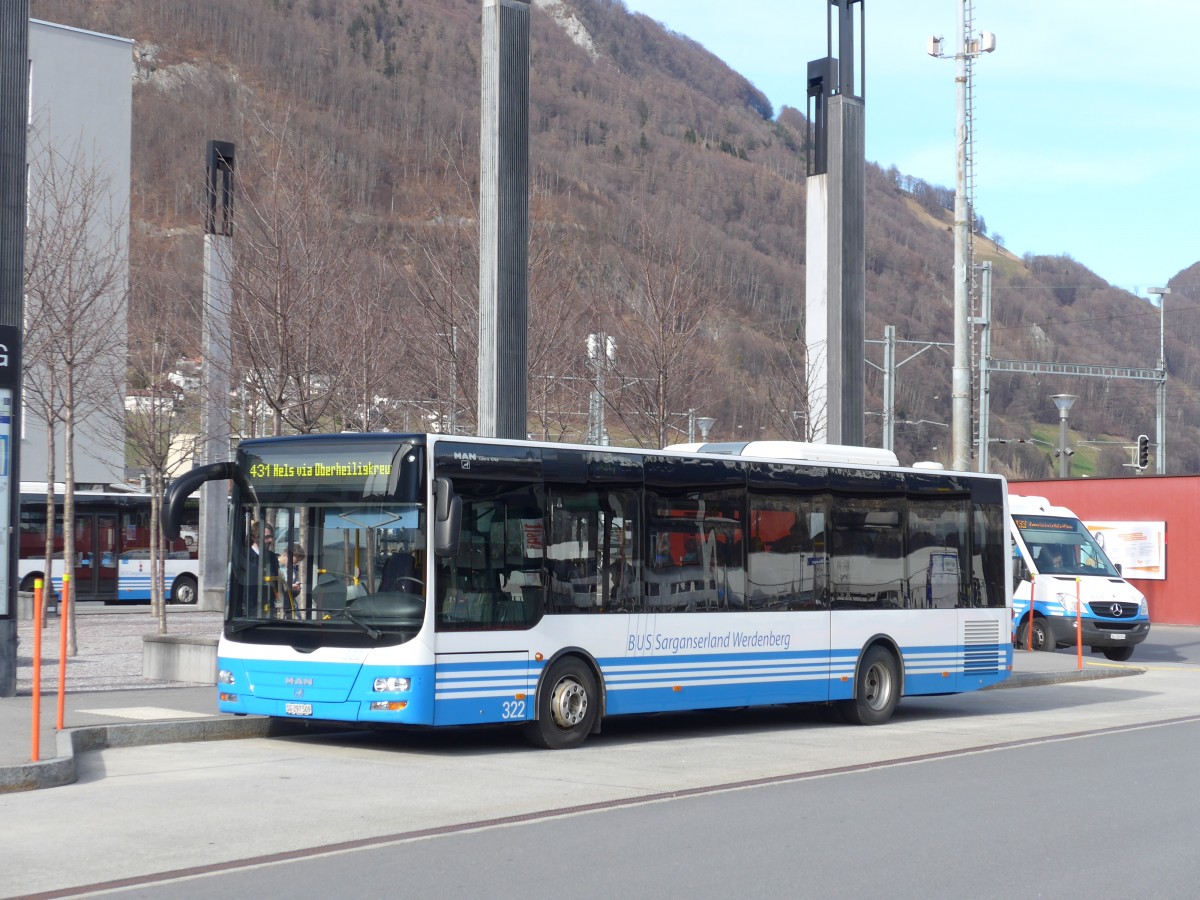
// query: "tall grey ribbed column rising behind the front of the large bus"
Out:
[505,221]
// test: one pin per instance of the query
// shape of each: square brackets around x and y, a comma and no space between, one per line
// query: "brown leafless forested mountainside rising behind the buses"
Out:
[668,209]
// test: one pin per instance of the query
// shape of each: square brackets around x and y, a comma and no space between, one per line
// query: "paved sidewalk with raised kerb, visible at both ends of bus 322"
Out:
[109,704]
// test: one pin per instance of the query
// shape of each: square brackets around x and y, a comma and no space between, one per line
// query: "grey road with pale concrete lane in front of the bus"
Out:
[982,795]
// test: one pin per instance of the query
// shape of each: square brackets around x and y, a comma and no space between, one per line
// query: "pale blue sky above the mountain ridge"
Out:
[1088,115]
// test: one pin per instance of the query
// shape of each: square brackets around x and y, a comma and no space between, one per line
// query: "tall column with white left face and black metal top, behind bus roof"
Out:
[836,283]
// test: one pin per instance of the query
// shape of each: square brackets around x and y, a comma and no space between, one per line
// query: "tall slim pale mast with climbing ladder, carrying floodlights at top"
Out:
[961,411]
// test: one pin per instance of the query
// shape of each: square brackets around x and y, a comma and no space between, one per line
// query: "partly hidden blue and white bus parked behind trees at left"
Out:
[112,553]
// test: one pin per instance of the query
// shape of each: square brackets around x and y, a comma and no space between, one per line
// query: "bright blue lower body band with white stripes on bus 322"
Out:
[496,692]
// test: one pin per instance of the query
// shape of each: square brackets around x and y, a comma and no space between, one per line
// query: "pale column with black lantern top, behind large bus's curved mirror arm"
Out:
[215,429]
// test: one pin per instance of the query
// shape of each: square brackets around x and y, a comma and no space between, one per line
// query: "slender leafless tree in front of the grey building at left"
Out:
[76,292]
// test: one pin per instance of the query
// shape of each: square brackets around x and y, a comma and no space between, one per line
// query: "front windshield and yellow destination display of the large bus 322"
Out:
[325,543]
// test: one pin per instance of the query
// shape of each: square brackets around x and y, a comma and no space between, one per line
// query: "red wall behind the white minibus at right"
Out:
[1174,500]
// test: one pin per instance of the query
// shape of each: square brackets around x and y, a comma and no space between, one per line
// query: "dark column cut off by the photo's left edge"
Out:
[14,123]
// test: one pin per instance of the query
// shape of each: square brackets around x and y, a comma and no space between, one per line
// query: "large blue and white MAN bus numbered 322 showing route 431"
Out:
[447,580]
